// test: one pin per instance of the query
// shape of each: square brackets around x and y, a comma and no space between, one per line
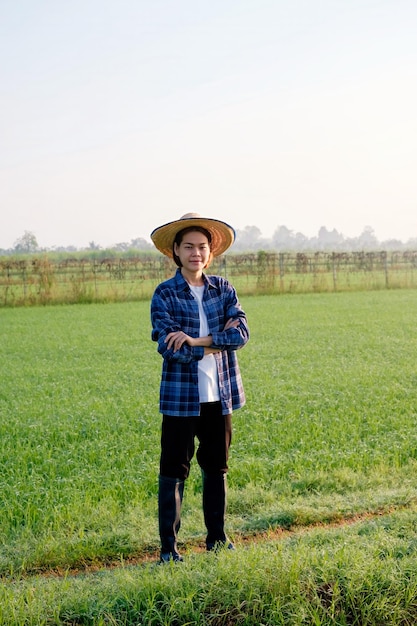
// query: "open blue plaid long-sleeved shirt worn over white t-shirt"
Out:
[174,308]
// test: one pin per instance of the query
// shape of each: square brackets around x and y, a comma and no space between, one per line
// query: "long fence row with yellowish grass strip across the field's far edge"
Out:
[43,280]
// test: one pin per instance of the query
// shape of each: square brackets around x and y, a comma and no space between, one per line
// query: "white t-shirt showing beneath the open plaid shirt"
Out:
[208,381]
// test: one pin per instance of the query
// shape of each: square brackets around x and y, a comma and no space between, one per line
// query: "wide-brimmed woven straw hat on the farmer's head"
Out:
[222,235]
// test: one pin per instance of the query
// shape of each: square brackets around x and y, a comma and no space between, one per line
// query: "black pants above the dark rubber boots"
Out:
[214,433]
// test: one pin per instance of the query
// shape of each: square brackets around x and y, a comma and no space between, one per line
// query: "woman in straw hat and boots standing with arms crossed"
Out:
[199,324]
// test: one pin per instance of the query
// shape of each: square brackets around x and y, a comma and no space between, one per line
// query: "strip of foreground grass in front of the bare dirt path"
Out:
[363,574]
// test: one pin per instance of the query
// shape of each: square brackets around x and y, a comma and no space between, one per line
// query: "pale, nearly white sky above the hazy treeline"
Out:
[120,115]
